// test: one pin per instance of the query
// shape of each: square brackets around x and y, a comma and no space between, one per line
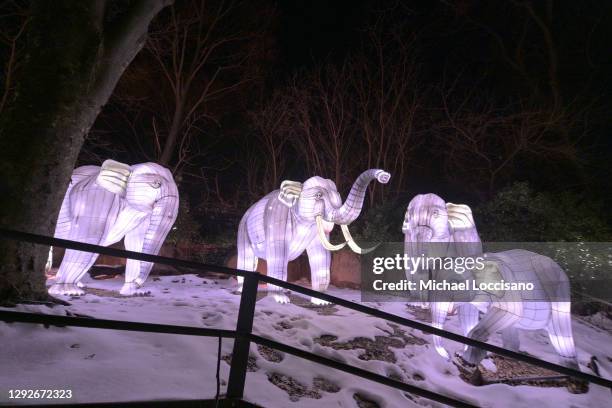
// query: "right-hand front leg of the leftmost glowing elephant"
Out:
[133,241]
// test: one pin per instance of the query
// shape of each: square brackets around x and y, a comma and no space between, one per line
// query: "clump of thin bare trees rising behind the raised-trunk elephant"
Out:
[360,113]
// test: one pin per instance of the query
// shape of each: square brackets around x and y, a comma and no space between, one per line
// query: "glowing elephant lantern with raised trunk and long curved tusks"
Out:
[298,217]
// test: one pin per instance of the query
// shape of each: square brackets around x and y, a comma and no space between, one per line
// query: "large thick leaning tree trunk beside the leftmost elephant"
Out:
[74,58]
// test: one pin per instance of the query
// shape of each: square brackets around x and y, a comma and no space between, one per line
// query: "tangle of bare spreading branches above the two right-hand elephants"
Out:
[481,142]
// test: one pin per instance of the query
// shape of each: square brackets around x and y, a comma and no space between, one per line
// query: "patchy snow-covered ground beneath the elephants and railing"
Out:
[104,365]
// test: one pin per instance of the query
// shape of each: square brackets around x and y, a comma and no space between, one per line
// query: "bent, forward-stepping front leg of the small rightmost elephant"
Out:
[499,317]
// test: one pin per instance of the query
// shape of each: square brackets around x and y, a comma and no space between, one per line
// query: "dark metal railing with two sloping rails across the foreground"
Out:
[243,334]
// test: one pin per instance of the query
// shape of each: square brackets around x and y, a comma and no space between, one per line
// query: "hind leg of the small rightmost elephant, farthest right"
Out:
[560,333]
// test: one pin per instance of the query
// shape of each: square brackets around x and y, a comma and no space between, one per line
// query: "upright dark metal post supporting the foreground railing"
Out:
[240,354]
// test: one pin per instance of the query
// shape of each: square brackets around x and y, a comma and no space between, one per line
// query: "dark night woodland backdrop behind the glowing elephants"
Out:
[502,105]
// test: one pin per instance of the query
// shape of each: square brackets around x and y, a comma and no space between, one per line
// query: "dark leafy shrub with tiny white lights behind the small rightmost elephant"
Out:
[562,226]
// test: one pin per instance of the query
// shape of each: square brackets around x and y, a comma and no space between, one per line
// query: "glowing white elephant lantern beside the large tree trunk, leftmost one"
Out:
[105,204]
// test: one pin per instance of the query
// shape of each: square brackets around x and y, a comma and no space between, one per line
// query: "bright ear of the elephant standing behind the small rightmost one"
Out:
[463,229]
